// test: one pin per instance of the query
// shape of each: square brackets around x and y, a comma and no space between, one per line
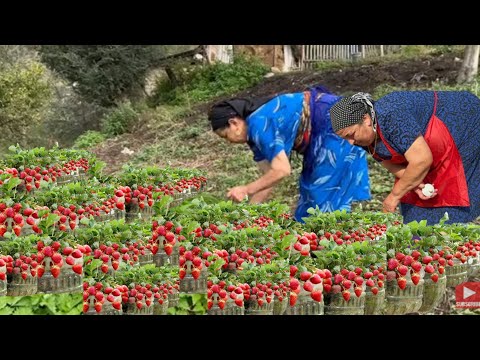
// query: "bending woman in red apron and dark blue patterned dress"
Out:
[422,137]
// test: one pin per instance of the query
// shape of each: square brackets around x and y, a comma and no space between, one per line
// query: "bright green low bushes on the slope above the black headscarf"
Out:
[205,82]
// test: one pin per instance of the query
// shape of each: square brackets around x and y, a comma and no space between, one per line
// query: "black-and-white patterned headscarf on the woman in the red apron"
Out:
[350,110]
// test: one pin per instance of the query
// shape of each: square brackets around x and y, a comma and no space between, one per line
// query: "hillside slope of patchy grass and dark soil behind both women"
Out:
[169,136]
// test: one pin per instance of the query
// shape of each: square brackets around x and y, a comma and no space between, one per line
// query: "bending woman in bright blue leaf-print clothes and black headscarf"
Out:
[334,172]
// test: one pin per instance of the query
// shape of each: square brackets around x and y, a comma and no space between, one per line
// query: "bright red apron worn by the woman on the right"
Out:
[446,173]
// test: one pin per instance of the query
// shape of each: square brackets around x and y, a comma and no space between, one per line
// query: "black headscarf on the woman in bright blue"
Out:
[227,109]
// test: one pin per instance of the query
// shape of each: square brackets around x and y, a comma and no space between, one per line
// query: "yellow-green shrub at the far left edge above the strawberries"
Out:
[24,95]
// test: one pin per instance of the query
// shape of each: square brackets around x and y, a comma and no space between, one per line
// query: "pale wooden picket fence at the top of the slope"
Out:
[312,54]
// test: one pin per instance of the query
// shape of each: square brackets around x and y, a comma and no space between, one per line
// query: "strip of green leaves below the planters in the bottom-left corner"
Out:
[42,304]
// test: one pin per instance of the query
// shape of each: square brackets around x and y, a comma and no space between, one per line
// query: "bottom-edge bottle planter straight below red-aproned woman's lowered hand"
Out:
[404,301]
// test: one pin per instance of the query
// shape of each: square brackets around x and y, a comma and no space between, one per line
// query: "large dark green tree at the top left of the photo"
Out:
[103,74]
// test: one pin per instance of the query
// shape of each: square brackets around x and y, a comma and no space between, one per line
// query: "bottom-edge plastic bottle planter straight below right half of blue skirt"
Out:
[335,304]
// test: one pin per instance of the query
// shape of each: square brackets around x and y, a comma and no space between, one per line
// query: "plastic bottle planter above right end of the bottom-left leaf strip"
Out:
[66,281]
